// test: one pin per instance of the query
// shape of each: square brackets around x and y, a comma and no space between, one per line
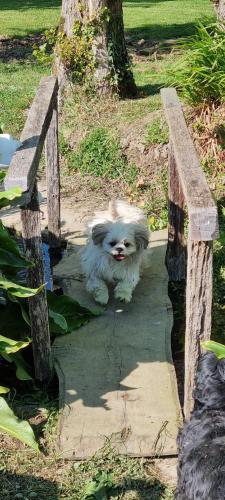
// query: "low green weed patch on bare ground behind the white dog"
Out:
[99,154]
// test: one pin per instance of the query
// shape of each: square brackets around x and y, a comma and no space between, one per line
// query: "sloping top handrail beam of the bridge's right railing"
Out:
[202,210]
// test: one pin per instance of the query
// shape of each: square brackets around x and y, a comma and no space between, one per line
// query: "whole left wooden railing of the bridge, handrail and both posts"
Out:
[41,127]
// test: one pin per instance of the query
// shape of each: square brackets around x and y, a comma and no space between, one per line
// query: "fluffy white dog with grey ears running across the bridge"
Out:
[114,251]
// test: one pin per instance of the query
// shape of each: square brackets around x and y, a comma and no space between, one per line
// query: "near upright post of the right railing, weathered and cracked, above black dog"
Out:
[198,310]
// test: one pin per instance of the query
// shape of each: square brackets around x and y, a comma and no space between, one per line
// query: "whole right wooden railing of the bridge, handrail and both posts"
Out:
[188,186]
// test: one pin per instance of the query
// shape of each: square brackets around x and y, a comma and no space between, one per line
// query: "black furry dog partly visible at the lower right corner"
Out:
[201,444]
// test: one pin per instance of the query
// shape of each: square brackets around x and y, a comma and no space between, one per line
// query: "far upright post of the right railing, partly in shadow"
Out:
[176,253]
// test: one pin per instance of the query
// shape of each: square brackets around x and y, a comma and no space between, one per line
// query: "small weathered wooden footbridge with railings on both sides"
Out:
[116,374]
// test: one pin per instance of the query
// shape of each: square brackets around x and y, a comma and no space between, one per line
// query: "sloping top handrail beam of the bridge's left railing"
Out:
[23,168]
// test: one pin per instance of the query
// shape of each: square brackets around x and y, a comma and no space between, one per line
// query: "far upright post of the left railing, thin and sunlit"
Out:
[53,178]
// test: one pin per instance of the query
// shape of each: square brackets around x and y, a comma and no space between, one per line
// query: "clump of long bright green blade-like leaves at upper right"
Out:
[200,73]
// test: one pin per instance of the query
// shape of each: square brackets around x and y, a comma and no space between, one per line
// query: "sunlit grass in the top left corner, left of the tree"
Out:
[19,18]
